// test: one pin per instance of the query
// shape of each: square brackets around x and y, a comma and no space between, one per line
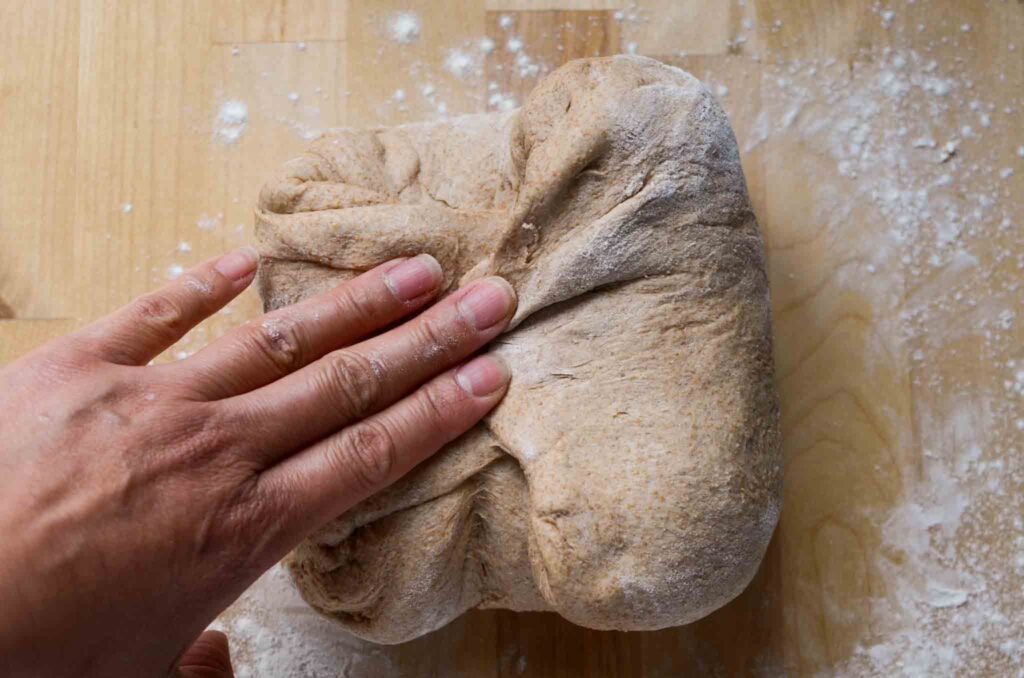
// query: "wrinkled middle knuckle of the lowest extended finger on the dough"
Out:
[366,454]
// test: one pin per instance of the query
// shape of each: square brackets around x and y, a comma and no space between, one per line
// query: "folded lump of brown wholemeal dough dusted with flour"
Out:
[631,478]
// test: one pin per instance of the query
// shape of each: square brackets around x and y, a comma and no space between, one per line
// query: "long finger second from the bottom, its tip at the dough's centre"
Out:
[353,384]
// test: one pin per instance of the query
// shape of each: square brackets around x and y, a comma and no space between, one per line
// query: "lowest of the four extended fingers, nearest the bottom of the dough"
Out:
[327,479]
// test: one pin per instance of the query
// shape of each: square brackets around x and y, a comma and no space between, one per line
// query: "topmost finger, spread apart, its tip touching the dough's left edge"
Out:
[139,332]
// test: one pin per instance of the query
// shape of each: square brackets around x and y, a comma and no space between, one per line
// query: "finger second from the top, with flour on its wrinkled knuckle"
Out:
[281,343]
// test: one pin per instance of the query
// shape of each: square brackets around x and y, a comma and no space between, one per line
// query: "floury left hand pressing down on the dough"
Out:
[138,502]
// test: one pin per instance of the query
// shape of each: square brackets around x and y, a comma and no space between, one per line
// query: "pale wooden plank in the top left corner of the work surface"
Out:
[39,54]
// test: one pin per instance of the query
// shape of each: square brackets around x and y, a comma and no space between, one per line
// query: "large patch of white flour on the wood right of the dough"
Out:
[897,140]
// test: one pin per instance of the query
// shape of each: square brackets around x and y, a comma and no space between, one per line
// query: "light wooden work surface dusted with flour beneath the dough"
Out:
[897,270]
